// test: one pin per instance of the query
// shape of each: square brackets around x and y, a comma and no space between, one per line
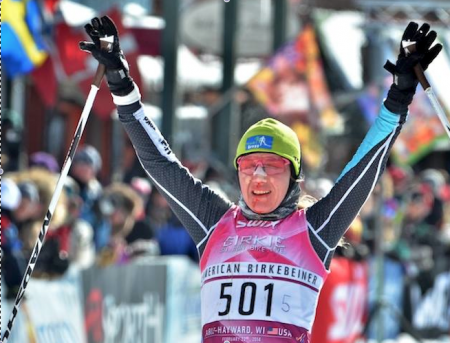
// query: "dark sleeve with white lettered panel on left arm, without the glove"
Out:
[197,206]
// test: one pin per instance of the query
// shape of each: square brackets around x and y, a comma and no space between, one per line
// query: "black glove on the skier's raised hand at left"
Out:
[109,54]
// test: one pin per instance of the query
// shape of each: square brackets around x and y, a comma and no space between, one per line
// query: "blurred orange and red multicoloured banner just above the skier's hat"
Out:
[293,89]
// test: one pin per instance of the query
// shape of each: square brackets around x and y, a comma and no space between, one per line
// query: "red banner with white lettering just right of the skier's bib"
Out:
[342,310]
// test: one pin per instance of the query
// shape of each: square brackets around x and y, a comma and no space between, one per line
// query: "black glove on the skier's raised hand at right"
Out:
[402,91]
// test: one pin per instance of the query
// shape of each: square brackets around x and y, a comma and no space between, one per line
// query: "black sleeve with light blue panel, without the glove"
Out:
[330,217]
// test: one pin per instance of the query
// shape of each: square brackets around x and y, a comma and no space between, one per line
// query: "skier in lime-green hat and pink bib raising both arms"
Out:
[263,260]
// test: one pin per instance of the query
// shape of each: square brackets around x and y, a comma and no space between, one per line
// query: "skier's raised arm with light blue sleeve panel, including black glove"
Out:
[330,217]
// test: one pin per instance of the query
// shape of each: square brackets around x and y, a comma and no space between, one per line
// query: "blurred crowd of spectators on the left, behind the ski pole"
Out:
[93,224]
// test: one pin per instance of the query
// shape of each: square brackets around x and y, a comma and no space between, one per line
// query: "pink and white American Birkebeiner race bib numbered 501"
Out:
[260,280]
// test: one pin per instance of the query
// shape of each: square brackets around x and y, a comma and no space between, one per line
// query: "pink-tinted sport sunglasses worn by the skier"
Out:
[272,165]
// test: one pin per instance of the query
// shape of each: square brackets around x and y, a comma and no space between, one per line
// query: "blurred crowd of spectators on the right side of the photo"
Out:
[412,210]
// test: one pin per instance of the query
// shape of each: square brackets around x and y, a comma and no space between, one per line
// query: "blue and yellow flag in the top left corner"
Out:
[22,47]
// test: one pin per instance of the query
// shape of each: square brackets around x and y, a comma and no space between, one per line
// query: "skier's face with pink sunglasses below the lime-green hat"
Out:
[264,181]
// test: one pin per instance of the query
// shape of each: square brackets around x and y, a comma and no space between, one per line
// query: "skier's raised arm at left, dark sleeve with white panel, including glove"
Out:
[196,205]
